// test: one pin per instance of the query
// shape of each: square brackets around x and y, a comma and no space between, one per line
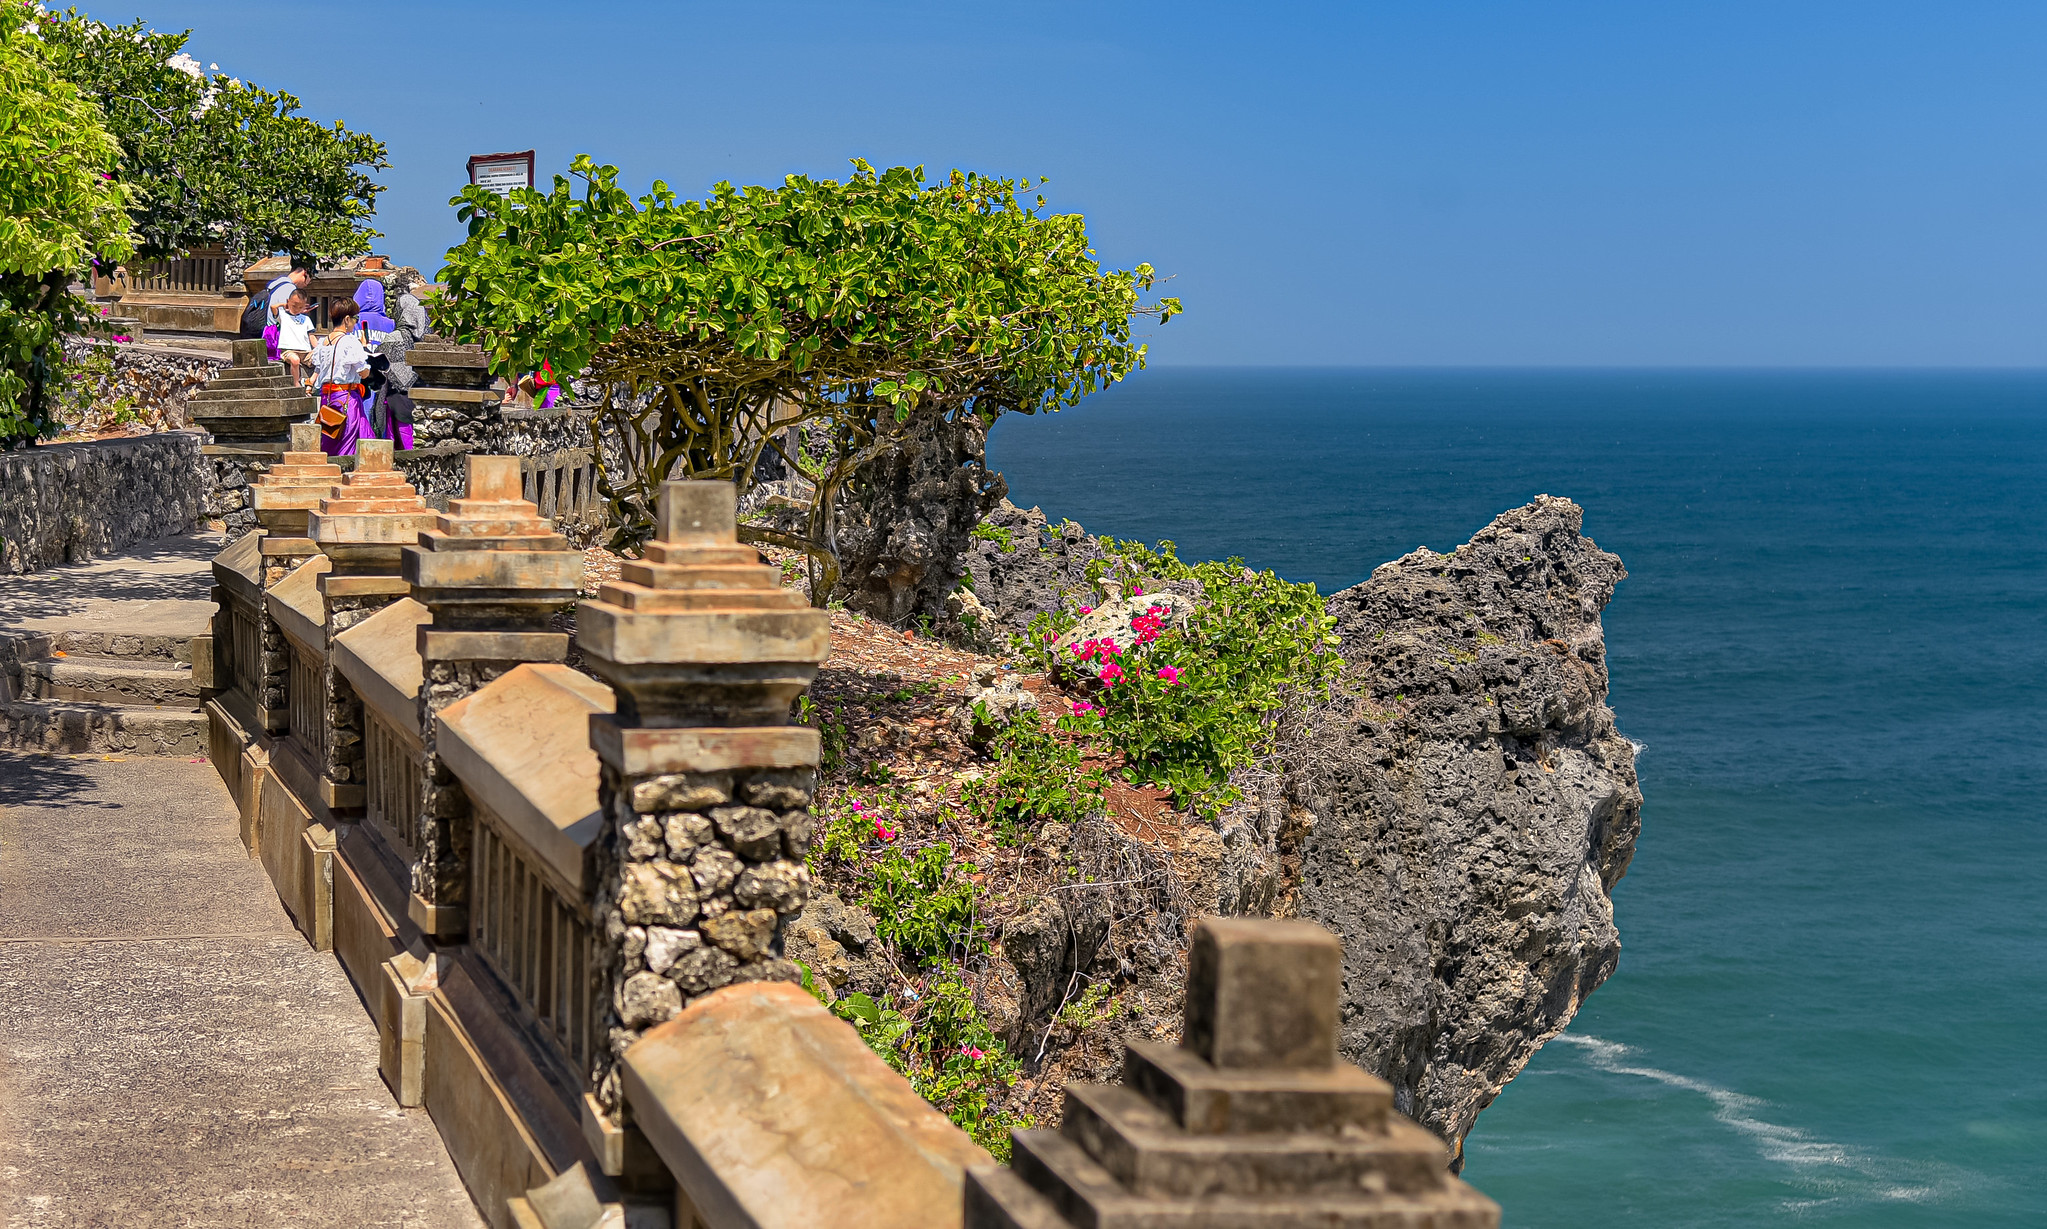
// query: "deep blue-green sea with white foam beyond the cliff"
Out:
[1833,650]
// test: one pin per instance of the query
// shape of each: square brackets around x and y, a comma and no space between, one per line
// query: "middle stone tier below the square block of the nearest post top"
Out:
[1149,1154]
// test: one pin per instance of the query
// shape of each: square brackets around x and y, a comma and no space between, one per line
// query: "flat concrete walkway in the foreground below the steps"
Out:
[171,1050]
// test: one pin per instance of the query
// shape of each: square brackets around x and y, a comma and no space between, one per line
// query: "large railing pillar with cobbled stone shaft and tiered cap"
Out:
[705,786]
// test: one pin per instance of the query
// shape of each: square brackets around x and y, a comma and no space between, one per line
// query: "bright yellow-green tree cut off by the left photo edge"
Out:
[58,208]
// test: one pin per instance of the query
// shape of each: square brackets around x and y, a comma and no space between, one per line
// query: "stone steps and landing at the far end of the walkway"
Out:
[99,656]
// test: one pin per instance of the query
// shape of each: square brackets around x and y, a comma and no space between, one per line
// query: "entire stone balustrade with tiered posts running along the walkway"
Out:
[564,900]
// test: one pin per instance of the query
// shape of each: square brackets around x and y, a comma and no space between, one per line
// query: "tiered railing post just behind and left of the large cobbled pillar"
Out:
[494,573]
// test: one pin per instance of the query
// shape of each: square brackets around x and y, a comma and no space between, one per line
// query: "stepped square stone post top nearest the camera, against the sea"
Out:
[1250,1124]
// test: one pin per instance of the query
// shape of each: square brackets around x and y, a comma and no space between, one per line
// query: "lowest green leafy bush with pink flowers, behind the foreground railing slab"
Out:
[947,1052]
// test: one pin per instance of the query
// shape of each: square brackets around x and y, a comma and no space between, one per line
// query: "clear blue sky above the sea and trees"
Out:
[1426,183]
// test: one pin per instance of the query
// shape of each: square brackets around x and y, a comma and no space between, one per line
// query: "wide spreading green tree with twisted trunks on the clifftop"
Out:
[867,306]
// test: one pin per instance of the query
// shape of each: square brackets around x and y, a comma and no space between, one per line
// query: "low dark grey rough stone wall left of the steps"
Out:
[67,503]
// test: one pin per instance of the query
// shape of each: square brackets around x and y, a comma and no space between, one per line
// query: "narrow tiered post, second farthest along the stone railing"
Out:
[361,527]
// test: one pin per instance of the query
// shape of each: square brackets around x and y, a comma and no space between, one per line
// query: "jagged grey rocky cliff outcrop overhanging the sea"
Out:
[1465,808]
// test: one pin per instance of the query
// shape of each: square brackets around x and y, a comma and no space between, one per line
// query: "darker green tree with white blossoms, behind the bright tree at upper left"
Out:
[212,159]
